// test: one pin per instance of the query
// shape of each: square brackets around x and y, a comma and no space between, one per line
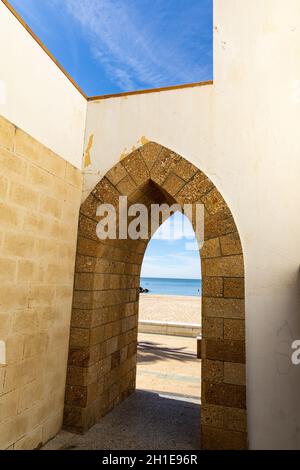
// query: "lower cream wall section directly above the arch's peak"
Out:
[179,119]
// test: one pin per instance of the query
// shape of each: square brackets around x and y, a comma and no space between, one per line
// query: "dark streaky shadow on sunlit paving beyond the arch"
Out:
[148,351]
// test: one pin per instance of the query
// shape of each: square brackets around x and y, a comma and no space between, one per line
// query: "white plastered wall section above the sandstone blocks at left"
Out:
[35,95]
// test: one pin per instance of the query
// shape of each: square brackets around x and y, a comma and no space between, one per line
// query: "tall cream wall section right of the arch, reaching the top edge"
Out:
[256,163]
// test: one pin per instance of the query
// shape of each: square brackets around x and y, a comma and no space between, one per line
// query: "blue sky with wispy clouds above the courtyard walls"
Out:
[110,46]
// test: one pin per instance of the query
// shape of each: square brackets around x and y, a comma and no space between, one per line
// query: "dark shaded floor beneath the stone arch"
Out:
[144,421]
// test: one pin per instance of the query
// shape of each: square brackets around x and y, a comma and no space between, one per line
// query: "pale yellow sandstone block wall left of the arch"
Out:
[39,204]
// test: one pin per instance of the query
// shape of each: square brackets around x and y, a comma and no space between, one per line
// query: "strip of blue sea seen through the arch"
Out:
[164,286]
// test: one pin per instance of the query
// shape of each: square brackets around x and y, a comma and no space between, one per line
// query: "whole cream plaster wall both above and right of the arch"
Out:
[243,132]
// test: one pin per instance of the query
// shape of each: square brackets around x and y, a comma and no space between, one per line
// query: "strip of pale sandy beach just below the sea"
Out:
[170,308]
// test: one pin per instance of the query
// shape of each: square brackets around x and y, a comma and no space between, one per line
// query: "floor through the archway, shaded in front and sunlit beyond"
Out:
[163,414]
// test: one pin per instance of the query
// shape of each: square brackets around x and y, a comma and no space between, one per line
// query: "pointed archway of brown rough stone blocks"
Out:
[103,339]
